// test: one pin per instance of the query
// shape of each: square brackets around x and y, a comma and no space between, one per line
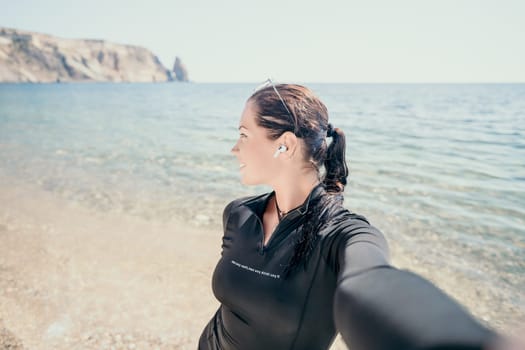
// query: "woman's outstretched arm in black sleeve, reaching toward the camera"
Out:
[379,307]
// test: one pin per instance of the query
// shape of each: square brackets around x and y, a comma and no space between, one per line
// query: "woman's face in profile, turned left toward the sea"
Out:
[254,150]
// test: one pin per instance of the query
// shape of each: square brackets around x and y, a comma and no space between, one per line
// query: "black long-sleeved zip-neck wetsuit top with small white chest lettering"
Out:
[263,309]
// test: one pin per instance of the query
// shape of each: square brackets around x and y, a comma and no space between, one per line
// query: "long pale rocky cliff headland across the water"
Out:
[40,58]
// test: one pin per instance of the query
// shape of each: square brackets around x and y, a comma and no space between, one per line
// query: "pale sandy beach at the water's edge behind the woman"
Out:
[73,278]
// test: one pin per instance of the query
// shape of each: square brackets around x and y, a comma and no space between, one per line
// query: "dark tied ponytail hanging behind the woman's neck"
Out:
[336,170]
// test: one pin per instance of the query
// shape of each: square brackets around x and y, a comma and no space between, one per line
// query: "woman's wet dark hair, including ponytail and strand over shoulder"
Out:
[307,117]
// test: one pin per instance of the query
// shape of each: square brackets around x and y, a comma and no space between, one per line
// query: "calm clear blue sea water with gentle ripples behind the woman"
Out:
[439,168]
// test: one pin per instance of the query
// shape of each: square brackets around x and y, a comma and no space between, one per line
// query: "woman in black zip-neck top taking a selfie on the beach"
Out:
[296,266]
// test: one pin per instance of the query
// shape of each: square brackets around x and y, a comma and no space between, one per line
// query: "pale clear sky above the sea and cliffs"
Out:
[368,41]
